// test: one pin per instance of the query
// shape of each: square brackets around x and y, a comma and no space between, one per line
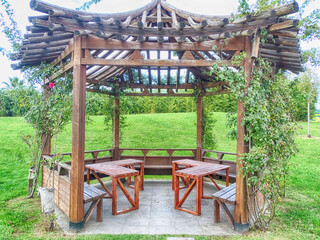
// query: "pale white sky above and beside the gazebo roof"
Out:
[209,7]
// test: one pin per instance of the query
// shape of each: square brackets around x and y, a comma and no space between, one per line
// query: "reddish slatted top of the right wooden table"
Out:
[197,168]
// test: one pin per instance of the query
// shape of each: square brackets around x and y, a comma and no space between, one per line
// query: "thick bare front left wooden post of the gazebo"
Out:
[76,215]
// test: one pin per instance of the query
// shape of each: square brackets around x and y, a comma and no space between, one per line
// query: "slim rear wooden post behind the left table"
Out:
[116,128]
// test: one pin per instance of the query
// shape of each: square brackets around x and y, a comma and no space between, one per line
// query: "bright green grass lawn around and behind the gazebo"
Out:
[298,216]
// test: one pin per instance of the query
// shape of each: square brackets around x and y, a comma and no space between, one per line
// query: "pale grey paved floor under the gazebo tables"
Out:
[156,214]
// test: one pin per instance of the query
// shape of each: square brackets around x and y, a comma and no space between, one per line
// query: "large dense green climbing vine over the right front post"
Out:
[270,133]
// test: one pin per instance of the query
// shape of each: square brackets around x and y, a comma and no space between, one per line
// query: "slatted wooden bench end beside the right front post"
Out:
[226,195]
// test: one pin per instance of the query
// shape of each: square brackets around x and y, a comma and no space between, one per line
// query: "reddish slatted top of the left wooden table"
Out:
[112,170]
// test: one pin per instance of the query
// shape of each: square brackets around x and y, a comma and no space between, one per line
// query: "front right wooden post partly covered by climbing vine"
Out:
[241,215]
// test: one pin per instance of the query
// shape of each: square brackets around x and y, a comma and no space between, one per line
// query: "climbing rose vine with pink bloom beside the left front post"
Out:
[48,115]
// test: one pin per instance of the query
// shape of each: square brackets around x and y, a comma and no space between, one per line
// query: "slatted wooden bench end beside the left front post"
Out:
[94,195]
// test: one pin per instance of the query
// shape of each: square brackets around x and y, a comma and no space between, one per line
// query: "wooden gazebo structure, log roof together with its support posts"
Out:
[156,50]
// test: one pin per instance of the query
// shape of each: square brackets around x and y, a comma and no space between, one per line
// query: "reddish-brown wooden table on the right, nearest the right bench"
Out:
[195,170]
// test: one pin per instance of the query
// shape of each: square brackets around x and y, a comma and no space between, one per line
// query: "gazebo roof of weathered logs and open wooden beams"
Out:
[165,34]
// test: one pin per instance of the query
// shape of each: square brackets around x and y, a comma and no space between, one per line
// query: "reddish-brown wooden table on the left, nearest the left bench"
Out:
[117,170]
